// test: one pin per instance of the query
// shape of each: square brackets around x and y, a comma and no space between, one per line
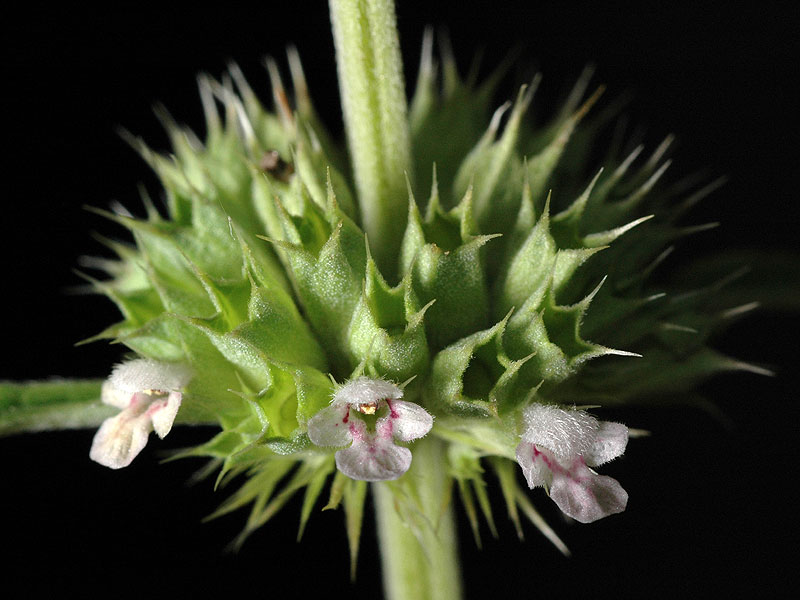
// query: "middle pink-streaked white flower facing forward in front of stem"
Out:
[372,455]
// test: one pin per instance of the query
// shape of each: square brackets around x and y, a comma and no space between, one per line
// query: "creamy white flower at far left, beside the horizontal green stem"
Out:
[148,394]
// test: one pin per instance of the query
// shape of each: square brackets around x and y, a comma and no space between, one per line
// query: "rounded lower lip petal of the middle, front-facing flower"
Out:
[373,459]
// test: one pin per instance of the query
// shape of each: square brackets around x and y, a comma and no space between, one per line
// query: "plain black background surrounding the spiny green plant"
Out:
[711,506]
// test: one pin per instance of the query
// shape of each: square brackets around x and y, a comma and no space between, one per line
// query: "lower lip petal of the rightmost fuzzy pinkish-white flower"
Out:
[586,496]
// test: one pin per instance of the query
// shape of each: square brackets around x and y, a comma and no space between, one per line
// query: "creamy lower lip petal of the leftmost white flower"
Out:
[120,439]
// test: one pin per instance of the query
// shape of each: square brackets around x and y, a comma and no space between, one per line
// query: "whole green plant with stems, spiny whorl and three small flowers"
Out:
[413,311]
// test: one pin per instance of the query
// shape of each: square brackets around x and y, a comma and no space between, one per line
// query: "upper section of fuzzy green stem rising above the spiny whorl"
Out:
[373,97]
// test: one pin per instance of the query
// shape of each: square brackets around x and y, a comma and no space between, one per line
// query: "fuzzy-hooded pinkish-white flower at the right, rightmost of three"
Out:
[556,447]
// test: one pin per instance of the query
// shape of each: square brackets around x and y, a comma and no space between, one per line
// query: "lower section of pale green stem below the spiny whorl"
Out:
[419,556]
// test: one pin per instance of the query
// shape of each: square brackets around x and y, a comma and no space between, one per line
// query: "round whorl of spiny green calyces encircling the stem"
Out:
[262,281]
